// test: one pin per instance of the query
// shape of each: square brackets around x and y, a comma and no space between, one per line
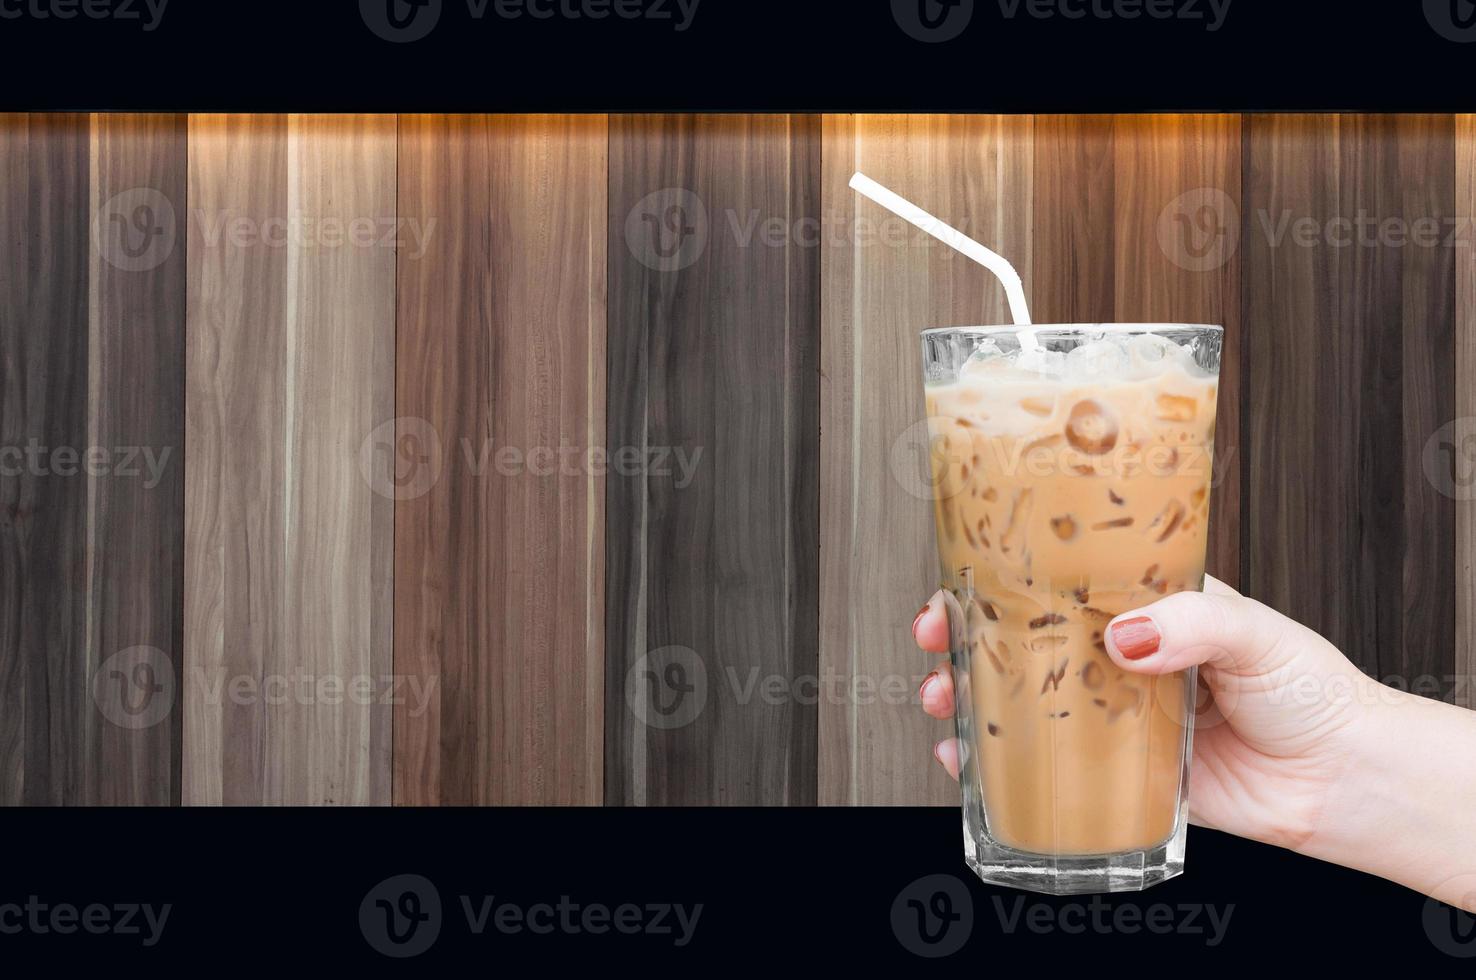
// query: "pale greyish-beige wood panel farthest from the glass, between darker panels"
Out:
[292,343]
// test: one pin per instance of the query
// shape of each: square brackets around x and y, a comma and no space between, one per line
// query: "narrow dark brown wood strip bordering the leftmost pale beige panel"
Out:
[137,528]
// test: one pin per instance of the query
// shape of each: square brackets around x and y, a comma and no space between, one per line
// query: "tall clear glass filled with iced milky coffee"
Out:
[1072,483]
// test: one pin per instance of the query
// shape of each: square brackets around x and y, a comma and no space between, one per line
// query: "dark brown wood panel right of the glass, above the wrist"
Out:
[1351,352]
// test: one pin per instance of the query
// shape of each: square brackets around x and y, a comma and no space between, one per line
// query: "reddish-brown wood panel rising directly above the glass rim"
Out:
[1137,219]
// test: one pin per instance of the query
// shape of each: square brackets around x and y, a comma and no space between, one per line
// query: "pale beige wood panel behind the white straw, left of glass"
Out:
[883,284]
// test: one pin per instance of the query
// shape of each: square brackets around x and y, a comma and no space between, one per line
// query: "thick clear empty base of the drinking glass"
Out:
[1086,874]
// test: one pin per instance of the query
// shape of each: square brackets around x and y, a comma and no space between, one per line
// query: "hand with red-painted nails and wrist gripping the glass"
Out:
[1297,746]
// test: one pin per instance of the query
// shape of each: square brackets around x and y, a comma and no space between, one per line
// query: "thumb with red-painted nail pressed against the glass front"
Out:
[1226,631]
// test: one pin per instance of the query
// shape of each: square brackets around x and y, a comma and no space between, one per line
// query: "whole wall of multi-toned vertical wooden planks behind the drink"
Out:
[579,458]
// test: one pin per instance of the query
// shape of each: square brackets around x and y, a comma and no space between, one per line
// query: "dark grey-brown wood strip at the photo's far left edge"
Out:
[46,736]
